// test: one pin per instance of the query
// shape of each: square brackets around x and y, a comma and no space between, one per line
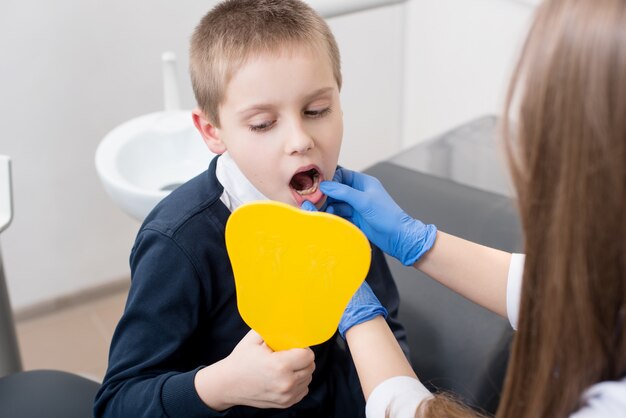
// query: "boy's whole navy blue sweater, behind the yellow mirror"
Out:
[181,315]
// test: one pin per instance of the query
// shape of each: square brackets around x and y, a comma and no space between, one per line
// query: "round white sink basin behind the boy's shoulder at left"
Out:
[142,160]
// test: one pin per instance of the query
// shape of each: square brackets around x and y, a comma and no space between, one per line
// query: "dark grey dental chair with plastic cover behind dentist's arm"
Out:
[455,345]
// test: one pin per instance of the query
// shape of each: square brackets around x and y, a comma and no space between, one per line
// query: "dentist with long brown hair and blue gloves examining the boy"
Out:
[567,296]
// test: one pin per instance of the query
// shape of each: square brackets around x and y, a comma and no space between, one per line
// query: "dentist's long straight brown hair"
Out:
[567,152]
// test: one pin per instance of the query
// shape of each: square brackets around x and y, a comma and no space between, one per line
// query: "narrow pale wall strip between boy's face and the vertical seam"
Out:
[371,45]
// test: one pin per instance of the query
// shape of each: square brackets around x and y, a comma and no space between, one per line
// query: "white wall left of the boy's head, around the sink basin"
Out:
[70,71]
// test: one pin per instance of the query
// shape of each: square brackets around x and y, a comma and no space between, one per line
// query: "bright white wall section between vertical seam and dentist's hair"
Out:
[459,56]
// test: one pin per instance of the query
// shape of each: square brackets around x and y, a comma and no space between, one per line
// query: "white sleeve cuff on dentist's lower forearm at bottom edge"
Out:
[397,397]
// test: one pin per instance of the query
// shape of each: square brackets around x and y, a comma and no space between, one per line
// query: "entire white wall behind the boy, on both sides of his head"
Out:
[72,70]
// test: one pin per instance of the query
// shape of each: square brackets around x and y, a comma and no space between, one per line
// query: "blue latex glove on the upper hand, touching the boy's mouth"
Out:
[371,209]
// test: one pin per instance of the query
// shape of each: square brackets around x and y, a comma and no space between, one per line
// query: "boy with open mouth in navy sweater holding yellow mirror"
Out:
[266,76]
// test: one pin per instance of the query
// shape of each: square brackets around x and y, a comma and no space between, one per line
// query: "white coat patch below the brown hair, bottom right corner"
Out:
[605,399]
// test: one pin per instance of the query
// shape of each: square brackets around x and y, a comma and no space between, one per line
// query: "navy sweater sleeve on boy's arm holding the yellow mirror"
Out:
[146,375]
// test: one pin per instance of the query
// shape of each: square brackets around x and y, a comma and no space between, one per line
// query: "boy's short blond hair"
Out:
[237,30]
